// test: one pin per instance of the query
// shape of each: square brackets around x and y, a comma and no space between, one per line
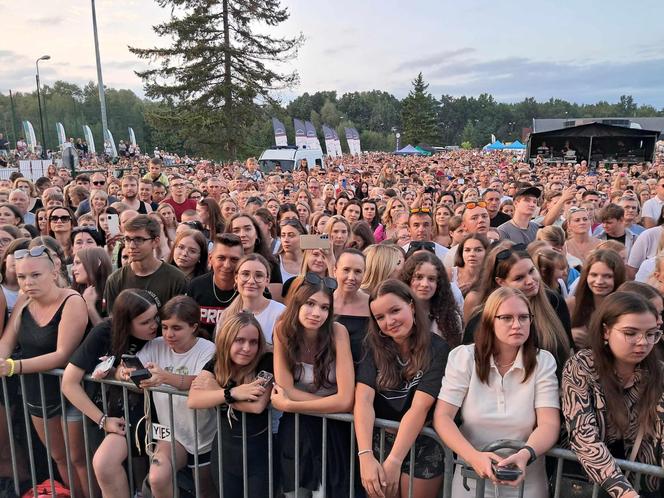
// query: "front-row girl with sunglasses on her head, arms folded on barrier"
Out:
[314,373]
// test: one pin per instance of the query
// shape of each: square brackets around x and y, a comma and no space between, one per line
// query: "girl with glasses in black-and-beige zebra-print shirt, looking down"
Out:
[614,393]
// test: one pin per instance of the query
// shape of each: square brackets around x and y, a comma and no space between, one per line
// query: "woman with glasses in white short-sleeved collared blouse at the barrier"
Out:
[505,359]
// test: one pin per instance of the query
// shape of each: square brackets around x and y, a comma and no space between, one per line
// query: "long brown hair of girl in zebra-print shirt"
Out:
[651,385]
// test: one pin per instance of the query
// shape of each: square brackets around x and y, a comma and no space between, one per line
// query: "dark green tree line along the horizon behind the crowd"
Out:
[419,117]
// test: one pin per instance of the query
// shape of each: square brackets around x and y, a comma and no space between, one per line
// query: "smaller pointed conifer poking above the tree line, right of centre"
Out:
[419,113]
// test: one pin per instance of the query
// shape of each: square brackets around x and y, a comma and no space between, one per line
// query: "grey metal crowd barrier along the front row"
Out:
[190,486]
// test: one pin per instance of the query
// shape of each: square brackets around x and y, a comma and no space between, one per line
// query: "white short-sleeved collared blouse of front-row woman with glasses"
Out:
[503,408]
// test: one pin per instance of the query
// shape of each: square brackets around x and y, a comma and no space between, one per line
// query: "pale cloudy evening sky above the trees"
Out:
[581,51]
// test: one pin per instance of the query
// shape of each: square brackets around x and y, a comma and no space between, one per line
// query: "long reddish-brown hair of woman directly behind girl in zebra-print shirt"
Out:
[584,306]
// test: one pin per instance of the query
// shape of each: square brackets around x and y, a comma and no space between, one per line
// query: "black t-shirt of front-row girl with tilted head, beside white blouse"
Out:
[392,404]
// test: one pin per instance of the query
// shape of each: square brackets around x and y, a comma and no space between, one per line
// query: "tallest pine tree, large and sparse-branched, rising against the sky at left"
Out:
[220,66]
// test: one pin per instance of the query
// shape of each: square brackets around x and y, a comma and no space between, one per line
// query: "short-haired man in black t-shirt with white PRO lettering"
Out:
[215,290]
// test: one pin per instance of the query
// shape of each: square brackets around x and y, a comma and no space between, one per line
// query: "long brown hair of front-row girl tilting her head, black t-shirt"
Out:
[385,351]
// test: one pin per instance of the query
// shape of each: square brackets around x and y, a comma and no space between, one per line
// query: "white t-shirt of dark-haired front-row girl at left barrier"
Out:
[189,363]
